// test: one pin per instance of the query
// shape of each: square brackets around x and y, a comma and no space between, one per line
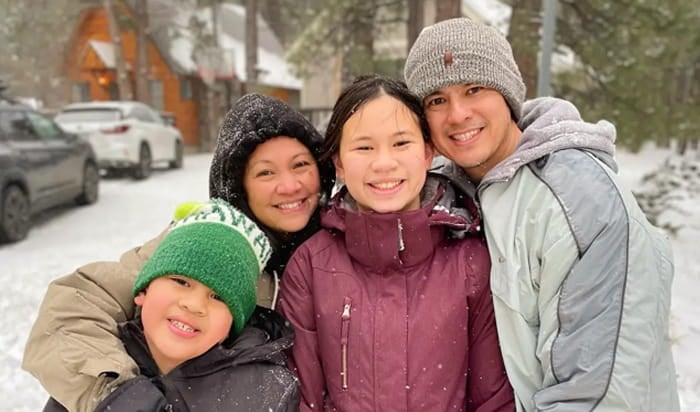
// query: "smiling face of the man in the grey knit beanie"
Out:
[472,126]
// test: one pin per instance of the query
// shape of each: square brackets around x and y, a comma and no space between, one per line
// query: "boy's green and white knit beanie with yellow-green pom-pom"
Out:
[217,245]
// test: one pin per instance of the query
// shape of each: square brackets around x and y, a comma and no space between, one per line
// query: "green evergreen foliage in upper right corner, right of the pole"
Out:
[637,65]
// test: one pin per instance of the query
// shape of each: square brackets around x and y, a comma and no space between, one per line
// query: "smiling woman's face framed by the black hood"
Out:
[282,183]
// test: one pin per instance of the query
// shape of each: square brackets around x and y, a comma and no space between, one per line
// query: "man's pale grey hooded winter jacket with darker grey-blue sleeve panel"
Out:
[581,280]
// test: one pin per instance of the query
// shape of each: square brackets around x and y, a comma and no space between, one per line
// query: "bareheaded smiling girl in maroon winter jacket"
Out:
[392,312]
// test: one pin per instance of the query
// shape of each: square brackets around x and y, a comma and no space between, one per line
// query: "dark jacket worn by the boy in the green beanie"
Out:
[248,374]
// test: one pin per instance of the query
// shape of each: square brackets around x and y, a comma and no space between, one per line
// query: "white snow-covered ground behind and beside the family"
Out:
[129,213]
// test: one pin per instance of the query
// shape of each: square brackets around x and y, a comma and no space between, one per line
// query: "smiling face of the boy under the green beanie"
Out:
[182,319]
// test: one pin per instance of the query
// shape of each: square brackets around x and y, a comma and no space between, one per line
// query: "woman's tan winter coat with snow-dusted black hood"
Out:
[73,348]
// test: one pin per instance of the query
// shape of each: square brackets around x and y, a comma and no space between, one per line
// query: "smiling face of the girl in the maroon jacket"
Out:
[382,157]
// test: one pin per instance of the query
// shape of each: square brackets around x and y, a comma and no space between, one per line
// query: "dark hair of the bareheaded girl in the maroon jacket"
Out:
[361,91]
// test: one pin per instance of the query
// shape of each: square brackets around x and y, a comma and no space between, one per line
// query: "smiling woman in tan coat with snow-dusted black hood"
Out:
[266,164]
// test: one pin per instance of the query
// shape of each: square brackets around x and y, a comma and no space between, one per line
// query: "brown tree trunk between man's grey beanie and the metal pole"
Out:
[524,37]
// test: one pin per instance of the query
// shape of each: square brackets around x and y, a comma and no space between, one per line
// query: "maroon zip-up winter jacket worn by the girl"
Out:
[391,314]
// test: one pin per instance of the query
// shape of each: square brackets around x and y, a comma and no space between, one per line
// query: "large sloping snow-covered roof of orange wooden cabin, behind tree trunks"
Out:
[178,43]
